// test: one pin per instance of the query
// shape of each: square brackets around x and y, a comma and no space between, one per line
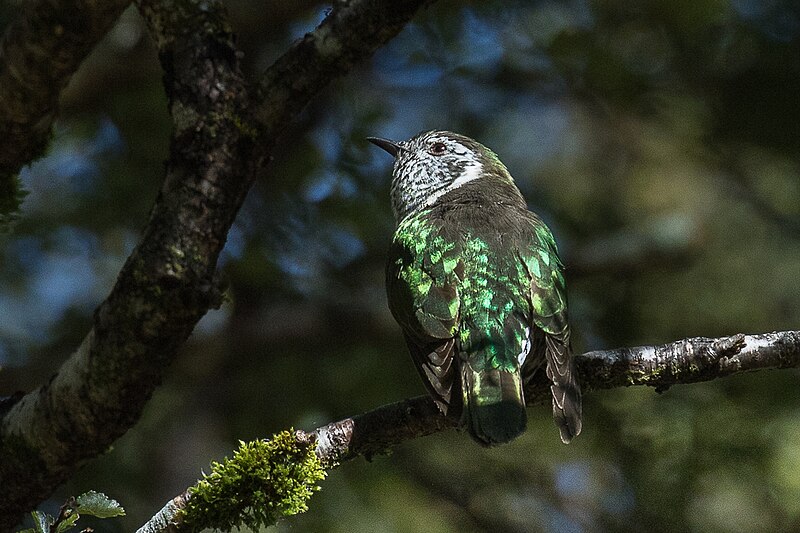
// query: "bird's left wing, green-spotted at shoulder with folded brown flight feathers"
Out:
[422,286]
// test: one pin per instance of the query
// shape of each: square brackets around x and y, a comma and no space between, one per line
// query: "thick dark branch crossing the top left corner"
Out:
[39,52]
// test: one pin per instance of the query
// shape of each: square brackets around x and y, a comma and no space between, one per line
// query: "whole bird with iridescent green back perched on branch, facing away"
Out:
[475,282]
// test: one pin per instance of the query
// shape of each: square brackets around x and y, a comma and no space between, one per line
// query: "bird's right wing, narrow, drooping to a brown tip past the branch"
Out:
[548,299]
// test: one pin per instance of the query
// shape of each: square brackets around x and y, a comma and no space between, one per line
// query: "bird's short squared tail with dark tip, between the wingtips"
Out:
[494,406]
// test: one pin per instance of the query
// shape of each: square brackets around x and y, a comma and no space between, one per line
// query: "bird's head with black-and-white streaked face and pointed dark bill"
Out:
[434,163]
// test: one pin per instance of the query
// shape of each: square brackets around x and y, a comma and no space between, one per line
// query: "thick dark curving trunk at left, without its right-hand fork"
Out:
[165,287]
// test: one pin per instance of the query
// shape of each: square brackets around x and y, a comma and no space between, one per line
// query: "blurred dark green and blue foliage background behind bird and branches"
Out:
[661,142]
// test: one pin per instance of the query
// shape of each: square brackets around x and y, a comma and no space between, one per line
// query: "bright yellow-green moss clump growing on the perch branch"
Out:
[264,481]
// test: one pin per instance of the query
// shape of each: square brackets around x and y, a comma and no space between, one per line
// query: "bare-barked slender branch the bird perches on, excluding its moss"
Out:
[684,361]
